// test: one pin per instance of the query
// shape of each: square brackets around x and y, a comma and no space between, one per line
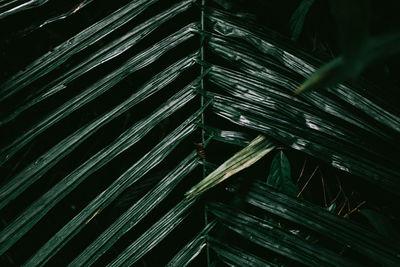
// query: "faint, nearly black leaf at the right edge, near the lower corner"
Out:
[381,223]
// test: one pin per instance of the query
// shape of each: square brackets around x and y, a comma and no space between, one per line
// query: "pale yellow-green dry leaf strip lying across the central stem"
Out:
[246,157]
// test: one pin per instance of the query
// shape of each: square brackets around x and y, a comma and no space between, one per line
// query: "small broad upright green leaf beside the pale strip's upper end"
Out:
[280,177]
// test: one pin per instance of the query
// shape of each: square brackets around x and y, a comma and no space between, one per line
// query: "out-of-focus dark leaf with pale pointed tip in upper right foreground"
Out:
[358,49]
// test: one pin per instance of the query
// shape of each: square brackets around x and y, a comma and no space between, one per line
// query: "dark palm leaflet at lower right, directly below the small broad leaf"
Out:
[318,219]
